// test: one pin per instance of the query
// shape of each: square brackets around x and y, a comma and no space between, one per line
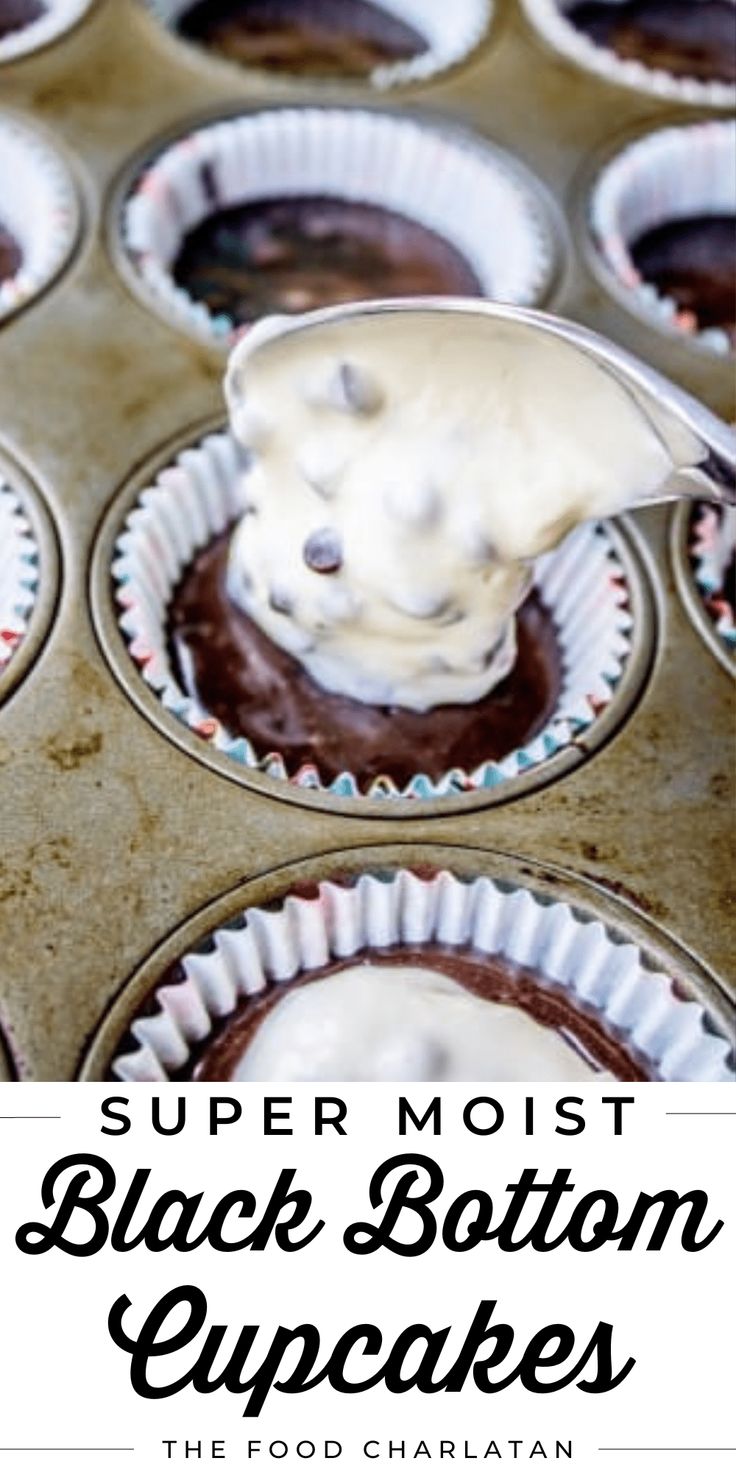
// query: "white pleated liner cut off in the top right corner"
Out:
[550,18]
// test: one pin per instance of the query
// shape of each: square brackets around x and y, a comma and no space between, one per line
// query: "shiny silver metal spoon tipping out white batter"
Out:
[701,447]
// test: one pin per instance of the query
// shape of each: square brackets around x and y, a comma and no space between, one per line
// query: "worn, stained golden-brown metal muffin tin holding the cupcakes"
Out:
[114,837]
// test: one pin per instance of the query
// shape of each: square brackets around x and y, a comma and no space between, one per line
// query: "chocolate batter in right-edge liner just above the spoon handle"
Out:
[694,263]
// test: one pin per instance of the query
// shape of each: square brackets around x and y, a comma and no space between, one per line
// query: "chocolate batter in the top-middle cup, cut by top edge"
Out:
[320,38]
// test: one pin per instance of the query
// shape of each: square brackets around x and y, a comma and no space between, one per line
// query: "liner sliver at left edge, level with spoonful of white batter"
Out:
[29,575]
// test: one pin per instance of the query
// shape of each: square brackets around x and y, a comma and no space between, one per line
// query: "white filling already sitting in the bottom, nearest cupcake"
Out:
[375,1024]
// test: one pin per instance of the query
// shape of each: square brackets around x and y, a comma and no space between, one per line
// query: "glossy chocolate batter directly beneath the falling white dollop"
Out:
[257,690]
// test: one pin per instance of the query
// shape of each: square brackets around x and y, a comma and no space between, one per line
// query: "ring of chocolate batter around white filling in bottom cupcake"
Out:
[495,980]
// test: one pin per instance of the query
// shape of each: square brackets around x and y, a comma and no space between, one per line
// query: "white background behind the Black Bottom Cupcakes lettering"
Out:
[67,1386]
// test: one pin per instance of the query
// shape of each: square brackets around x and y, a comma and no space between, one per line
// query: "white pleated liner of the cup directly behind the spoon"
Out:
[478,198]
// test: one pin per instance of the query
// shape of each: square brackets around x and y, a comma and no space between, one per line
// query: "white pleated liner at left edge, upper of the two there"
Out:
[39,207]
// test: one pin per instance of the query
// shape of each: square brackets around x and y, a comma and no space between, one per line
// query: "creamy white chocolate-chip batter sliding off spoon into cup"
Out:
[407,469]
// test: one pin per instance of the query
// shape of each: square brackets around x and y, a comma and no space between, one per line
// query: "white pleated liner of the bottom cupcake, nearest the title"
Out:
[269,949]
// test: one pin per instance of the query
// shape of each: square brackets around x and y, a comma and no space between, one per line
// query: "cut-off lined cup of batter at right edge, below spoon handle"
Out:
[703,542]
